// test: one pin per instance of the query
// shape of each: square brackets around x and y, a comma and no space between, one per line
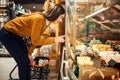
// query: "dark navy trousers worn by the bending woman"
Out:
[18,50]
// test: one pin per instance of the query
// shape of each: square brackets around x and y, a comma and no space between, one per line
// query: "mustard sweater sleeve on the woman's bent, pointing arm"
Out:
[38,28]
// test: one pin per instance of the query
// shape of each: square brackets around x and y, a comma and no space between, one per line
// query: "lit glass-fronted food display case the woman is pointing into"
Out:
[92,36]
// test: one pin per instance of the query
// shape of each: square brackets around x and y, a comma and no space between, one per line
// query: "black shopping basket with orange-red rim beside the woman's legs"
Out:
[39,70]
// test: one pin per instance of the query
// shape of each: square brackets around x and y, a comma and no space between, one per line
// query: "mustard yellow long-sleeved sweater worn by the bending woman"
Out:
[32,26]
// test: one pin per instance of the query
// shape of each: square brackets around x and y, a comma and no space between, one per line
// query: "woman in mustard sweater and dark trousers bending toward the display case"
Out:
[31,25]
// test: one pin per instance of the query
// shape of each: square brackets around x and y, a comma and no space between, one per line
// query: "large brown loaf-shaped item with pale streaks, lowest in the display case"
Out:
[93,73]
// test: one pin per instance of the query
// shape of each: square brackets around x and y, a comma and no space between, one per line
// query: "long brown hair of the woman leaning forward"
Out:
[53,13]
